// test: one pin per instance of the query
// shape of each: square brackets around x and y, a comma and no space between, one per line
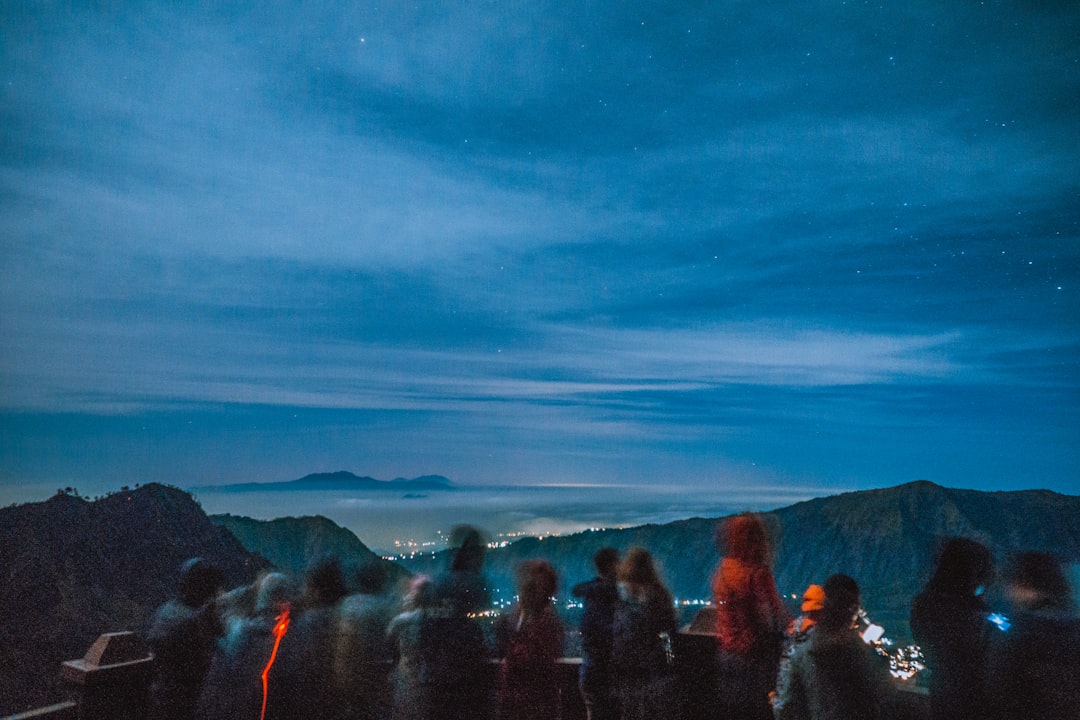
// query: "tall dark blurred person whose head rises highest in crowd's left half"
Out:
[460,687]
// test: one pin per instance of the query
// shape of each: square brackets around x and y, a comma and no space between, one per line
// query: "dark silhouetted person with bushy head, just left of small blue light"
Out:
[950,623]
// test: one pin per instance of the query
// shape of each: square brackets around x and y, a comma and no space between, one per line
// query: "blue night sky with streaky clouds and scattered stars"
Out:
[813,246]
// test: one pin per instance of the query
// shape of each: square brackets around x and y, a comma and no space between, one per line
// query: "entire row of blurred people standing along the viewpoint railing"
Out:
[355,649]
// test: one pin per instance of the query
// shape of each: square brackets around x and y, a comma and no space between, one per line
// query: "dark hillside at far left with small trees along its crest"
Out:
[75,569]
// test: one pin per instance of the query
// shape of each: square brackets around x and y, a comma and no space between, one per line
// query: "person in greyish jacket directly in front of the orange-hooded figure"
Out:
[834,676]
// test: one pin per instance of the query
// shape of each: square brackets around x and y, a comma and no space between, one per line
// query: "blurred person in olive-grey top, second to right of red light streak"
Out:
[363,653]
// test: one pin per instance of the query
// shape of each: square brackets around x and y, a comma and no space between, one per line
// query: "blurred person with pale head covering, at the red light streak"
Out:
[234,687]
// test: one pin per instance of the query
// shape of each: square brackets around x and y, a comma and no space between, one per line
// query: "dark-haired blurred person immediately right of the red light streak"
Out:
[307,651]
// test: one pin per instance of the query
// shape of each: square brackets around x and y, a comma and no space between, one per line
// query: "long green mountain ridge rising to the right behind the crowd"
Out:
[885,539]
